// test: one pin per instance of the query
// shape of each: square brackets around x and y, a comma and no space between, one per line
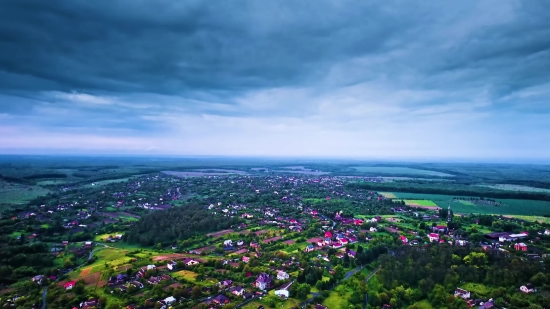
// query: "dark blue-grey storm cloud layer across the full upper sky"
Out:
[173,47]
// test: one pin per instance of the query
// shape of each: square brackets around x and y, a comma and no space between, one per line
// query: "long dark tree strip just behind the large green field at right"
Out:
[449,189]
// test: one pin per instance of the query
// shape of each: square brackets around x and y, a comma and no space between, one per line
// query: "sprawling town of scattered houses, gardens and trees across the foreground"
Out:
[241,241]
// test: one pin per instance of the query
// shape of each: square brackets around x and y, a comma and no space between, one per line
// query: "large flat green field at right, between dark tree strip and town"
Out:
[510,206]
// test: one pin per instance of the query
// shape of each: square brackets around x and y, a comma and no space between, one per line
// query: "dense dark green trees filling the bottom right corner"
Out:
[412,274]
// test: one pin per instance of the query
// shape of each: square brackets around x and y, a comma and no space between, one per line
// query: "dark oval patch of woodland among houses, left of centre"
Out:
[176,224]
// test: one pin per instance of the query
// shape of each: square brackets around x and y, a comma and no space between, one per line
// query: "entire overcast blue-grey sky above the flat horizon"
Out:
[347,79]
